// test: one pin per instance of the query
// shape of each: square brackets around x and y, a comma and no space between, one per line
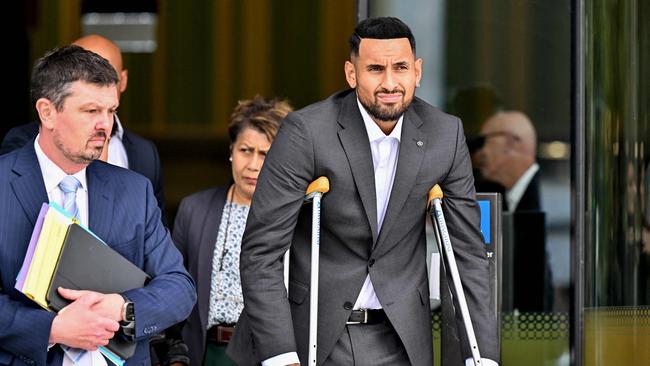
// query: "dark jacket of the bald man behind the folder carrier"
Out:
[142,154]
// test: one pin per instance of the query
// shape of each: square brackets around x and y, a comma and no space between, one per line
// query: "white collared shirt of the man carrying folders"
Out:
[52,176]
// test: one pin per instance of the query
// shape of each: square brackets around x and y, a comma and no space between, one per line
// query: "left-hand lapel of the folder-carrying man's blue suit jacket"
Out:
[28,186]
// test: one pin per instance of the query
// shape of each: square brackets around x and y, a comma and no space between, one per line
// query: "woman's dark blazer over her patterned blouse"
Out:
[195,234]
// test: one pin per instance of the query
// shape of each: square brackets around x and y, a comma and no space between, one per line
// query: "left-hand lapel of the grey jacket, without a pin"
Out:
[354,140]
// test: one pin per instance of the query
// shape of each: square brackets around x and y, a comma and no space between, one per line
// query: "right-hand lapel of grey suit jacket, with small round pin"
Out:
[411,152]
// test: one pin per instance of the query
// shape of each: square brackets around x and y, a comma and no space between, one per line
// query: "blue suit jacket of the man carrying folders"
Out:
[123,212]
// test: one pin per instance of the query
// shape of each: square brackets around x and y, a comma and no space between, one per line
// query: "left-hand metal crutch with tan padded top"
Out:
[314,193]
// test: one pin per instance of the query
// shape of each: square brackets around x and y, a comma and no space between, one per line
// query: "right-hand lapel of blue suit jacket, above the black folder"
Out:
[100,200]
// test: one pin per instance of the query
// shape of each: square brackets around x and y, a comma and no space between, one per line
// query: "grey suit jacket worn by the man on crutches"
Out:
[329,139]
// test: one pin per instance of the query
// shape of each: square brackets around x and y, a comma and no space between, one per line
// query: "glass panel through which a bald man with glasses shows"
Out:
[482,57]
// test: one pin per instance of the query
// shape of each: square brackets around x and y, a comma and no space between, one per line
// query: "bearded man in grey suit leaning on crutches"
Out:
[383,150]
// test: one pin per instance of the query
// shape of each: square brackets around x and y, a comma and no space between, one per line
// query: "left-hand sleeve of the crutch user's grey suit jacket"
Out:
[288,169]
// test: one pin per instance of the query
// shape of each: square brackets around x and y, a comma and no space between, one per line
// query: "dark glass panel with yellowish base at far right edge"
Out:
[617,248]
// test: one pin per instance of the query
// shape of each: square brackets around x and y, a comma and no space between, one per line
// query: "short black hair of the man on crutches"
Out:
[380,28]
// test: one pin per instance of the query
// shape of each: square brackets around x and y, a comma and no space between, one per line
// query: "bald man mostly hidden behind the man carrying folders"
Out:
[126,149]
